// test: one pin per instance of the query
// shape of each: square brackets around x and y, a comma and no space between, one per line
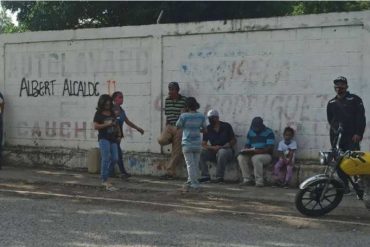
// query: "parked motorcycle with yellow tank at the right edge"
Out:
[320,194]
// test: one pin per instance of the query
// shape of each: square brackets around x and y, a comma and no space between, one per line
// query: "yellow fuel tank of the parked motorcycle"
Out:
[353,166]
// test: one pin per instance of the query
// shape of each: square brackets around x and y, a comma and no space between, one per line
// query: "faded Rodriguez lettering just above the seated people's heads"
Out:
[279,110]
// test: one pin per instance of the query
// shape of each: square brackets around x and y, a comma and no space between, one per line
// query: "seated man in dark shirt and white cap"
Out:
[221,138]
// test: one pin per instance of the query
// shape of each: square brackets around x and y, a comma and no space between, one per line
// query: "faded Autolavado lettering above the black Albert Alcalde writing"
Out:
[133,61]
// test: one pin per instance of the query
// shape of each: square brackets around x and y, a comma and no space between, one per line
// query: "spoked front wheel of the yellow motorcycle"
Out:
[308,202]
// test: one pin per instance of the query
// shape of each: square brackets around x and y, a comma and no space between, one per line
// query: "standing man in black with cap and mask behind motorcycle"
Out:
[347,110]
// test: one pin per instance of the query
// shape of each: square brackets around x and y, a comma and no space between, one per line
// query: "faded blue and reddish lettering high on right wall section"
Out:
[222,65]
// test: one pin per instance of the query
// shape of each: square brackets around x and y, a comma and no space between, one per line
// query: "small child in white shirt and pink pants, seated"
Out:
[283,168]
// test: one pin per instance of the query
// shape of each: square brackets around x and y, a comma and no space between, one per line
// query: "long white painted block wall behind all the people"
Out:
[279,68]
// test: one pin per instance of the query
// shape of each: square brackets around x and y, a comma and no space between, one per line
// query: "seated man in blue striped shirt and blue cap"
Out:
[257,153]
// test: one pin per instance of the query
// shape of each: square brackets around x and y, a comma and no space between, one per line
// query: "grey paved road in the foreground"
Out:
[45,215]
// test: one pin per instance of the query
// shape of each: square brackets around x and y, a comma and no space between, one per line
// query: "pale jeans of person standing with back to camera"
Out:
[192,160]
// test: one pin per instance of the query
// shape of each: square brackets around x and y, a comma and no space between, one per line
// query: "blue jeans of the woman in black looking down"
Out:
[109,157]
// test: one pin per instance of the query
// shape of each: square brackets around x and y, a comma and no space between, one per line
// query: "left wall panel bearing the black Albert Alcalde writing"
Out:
[73,74]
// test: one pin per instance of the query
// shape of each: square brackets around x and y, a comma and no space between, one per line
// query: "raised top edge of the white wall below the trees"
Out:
[357,18]
